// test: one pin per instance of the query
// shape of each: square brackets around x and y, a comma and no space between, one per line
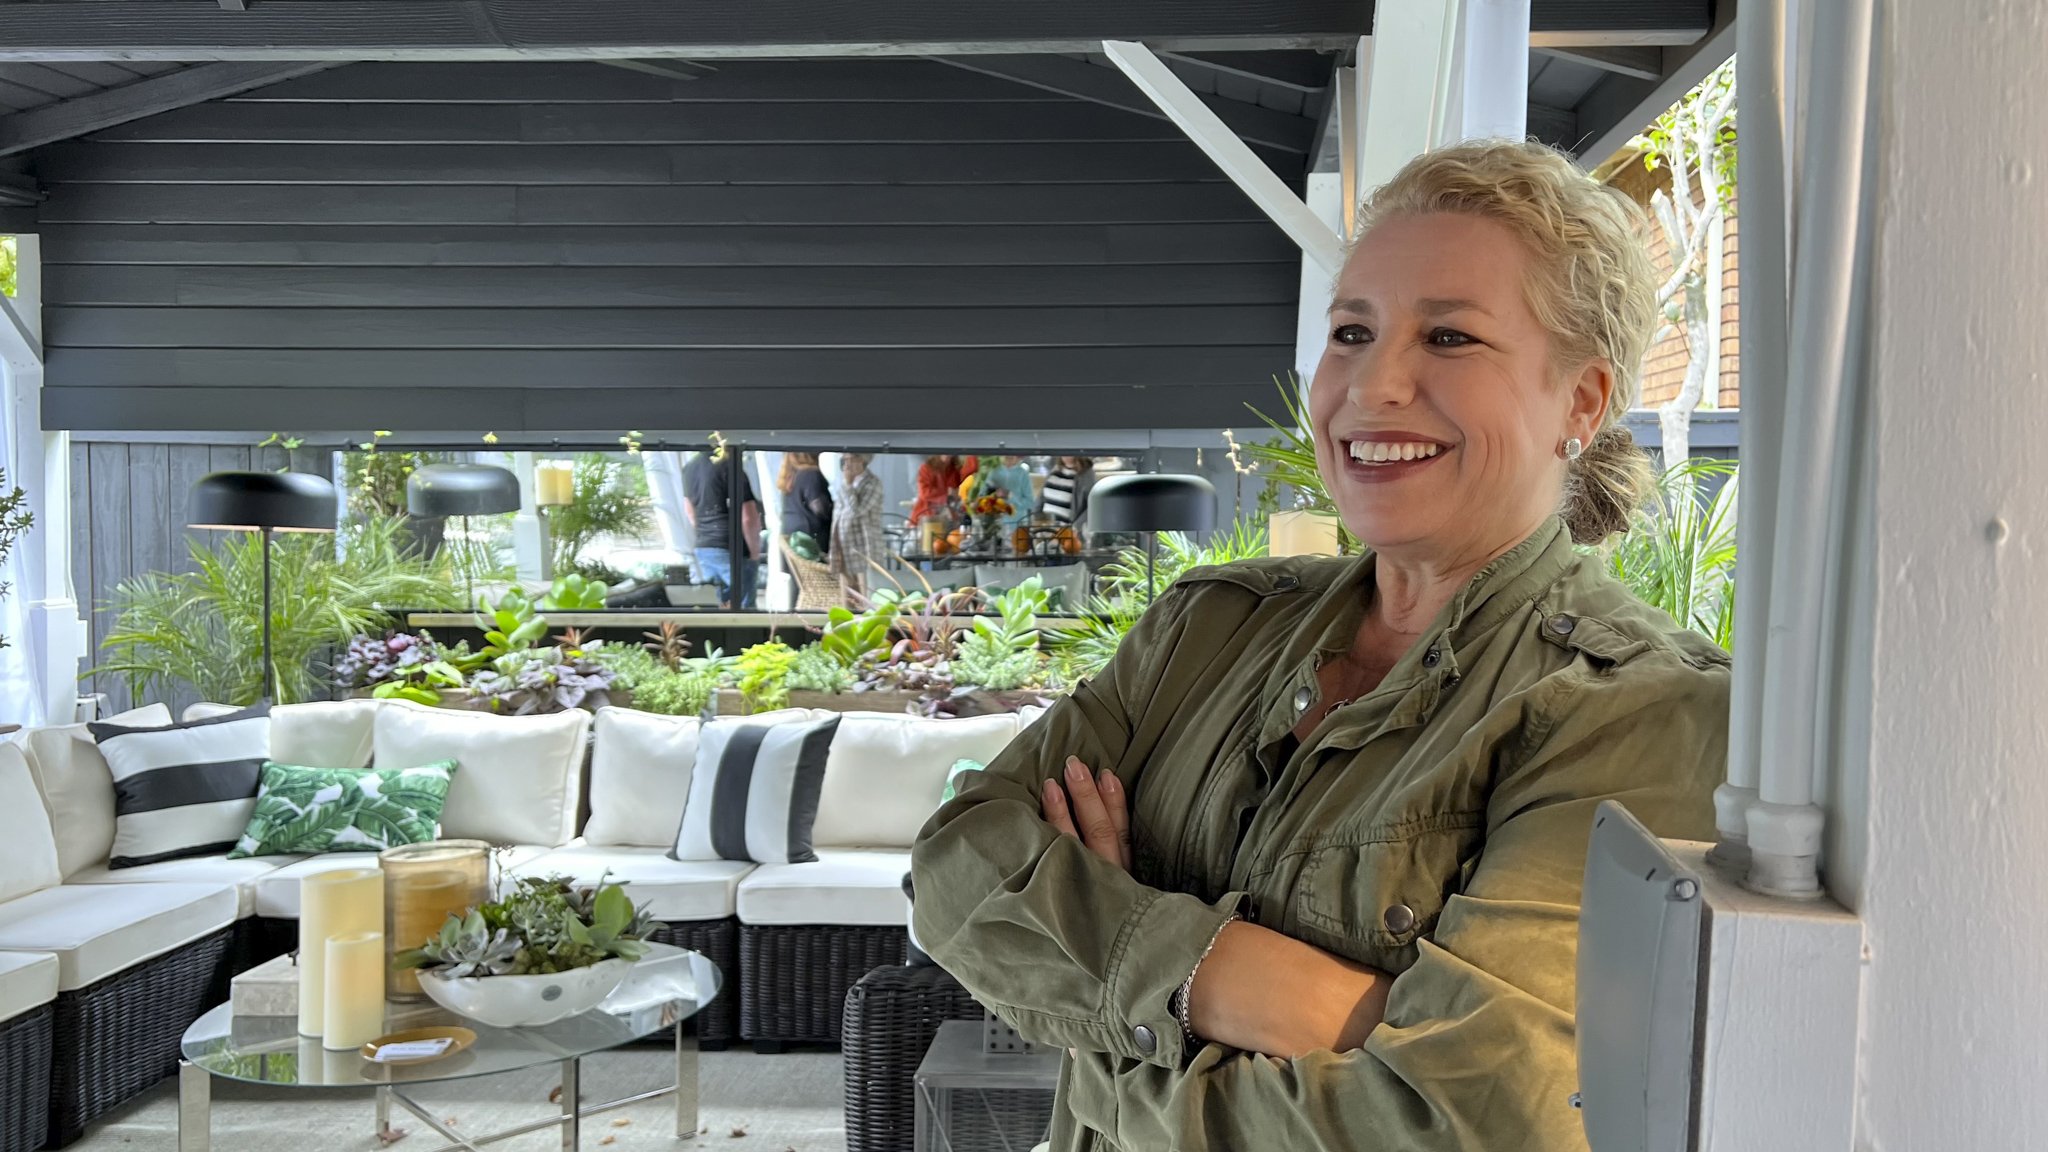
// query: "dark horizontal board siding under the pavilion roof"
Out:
[552,247]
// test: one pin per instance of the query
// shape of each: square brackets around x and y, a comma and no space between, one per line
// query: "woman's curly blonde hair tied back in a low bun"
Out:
[1590,286]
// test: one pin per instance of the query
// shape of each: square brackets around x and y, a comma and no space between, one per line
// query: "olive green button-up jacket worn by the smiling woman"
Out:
[1435,829]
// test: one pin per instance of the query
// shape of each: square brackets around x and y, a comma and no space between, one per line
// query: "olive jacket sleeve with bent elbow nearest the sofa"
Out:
[1062,944]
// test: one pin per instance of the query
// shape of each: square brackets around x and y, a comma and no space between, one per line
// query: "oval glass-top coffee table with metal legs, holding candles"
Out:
[667,989]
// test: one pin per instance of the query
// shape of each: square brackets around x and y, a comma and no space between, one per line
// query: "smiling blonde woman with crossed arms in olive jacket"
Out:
[1365,782]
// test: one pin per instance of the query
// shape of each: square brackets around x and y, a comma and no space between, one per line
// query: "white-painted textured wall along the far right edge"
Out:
[1955,1048]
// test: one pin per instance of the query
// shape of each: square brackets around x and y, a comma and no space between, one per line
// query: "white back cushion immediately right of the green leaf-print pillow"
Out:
[519,778]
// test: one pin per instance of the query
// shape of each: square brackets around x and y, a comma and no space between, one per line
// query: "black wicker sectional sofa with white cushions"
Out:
[103,969]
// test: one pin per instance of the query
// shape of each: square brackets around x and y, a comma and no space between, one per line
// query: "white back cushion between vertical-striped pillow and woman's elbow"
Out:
[888,772]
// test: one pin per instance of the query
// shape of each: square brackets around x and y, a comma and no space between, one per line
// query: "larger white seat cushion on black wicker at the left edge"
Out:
[99,930]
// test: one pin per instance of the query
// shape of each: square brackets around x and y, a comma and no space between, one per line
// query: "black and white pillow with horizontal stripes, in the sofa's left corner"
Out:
[183,790]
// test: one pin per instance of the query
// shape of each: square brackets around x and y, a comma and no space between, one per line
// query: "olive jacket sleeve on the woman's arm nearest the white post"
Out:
[1478,1048]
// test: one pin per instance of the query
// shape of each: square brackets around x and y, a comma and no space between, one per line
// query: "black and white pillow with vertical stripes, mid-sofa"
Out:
[755,792]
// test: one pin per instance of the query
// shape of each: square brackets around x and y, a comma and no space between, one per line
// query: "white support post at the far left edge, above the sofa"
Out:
[56,641]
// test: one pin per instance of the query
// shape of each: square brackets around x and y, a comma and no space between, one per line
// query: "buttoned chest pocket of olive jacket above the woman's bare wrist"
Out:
[1373,899]
